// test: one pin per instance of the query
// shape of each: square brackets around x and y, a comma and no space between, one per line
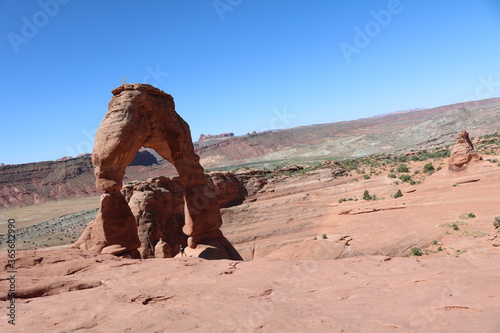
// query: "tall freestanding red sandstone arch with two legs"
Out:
[140,115]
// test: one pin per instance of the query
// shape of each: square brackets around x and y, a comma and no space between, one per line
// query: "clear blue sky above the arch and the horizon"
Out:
[235,65]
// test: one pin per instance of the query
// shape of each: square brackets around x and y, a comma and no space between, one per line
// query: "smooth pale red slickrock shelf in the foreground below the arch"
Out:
[76,291]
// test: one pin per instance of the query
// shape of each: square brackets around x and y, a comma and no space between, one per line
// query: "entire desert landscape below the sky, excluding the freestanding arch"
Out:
[384,224]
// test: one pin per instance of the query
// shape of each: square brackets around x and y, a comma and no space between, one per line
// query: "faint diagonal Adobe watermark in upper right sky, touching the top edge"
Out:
[372,29]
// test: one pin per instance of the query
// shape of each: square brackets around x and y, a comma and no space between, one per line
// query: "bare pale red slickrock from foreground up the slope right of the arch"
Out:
[317,258]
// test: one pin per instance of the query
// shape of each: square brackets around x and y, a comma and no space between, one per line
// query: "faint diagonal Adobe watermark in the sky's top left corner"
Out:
[30,27]
